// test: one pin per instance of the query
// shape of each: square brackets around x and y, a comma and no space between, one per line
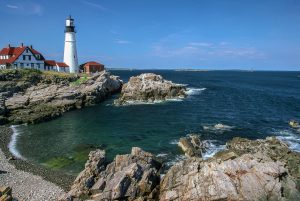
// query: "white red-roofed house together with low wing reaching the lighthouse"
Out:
[27,57]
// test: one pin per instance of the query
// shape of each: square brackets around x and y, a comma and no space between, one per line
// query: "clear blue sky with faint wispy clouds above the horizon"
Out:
[209,34]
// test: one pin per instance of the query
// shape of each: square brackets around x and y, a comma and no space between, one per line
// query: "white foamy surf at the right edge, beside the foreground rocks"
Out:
[290,138]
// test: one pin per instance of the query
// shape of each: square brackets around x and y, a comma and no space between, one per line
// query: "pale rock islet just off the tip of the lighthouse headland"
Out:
[149,87]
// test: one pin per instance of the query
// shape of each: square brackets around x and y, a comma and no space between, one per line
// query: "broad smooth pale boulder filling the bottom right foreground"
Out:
[247,177]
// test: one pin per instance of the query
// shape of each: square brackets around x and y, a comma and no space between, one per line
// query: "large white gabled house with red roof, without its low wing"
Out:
[21,57]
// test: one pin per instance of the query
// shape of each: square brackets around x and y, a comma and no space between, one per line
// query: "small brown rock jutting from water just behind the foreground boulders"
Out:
[192,146]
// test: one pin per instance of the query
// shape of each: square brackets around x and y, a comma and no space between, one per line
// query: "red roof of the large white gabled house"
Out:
[14,52]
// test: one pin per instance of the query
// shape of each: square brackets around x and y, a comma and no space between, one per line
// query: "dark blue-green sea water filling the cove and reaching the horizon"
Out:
[254,104]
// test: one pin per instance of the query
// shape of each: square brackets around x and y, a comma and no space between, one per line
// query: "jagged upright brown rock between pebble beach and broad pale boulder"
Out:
[128,177]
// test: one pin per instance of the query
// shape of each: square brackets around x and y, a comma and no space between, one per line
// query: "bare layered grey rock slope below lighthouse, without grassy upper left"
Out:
[50,96]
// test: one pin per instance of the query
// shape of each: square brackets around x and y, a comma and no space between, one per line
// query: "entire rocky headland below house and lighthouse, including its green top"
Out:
[37,97]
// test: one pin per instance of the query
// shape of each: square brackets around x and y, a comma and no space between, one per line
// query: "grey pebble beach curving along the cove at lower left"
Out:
[29,181]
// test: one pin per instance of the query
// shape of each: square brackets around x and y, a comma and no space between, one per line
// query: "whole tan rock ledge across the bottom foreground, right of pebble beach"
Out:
[247,170]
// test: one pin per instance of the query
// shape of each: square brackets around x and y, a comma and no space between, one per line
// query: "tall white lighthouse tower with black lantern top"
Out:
[70,52]
